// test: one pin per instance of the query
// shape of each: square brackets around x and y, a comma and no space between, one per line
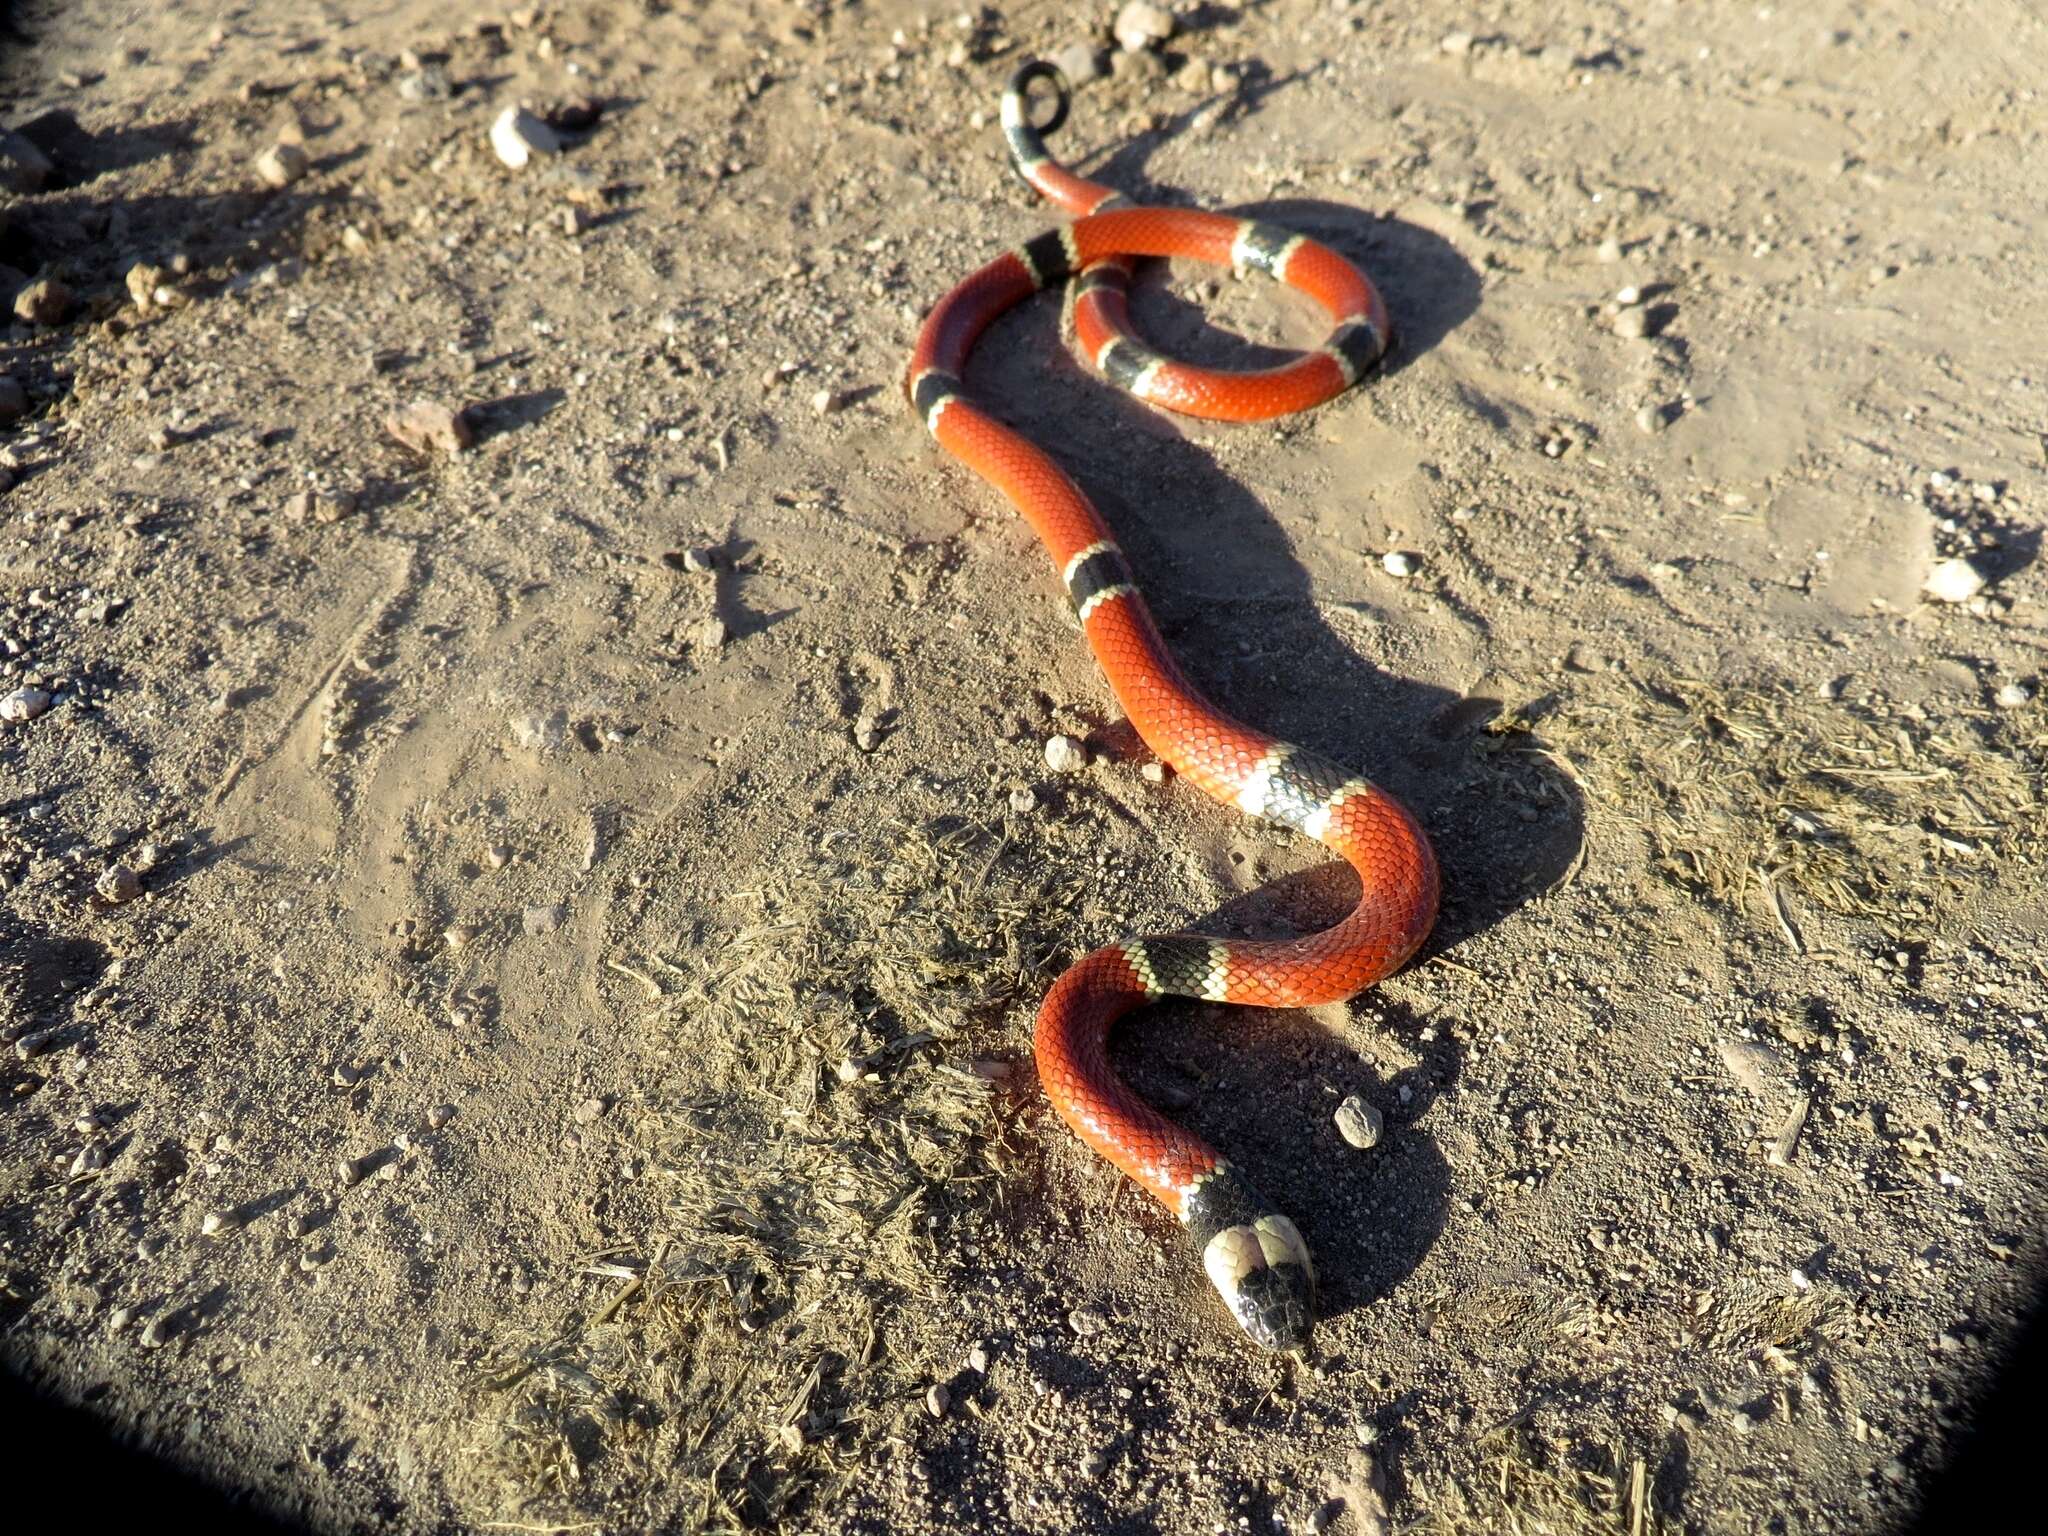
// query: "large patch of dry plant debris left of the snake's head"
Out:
[830,1134]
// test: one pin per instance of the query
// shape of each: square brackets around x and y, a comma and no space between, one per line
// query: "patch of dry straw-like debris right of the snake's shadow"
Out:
[1865,808]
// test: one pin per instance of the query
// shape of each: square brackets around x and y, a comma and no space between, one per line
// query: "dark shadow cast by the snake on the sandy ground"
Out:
[1238,609]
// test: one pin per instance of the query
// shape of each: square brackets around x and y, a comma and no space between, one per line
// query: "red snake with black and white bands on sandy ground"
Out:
[1252,1254]
